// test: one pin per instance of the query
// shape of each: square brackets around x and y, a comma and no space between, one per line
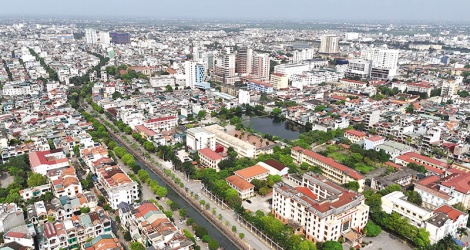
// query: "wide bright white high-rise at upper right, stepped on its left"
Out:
[384,62]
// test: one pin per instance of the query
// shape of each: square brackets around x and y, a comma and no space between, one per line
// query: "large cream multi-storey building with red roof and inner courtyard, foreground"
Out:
[320,209]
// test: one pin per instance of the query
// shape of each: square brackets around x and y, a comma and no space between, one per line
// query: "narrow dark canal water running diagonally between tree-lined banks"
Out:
[214,233]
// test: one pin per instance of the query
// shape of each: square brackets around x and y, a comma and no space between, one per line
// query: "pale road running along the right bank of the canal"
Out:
[228,215]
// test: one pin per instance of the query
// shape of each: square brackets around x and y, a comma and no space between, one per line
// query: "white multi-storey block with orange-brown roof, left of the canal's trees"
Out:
[118,186]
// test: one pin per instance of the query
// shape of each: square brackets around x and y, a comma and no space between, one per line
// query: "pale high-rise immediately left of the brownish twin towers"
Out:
[225,68]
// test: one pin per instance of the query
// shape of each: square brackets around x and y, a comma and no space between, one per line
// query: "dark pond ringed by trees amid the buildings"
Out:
[274,126]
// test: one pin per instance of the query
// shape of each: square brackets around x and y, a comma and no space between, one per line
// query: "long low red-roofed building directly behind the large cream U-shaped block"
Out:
[332,170]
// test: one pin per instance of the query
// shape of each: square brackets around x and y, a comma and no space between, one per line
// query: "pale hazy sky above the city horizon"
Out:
[426,10]
